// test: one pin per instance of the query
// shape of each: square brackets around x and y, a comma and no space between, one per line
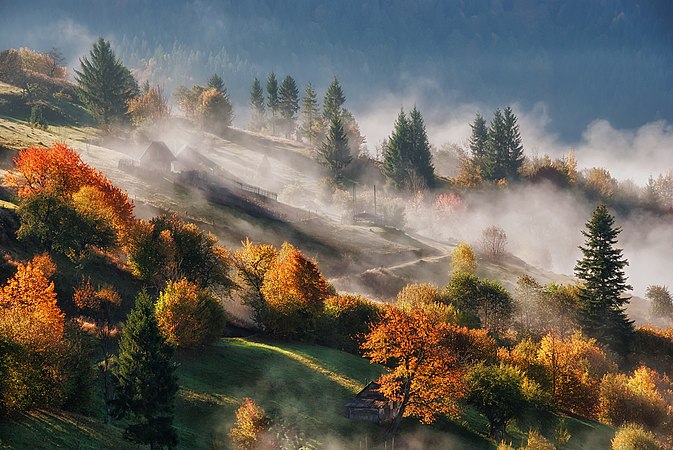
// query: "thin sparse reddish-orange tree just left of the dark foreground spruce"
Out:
[100,305]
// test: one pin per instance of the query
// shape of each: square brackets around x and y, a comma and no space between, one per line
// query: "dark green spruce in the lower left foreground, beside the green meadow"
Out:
[144,381]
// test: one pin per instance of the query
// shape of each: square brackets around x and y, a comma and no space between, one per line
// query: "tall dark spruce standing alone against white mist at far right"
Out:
[601,271]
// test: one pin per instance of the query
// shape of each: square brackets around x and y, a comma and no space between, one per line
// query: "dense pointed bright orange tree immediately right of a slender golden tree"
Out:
[294,291]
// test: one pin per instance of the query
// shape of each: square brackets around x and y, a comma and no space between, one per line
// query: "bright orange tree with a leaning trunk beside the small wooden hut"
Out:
[424,378]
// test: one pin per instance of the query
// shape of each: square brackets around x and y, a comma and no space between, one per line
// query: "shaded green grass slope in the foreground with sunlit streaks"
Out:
[301,387]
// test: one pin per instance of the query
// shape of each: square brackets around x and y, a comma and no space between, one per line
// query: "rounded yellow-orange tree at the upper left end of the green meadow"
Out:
[189,317]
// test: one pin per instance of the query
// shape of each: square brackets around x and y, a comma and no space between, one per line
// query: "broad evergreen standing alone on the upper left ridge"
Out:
[104,85]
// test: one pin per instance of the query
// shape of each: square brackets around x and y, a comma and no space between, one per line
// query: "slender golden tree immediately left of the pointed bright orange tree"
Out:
[252,262]
